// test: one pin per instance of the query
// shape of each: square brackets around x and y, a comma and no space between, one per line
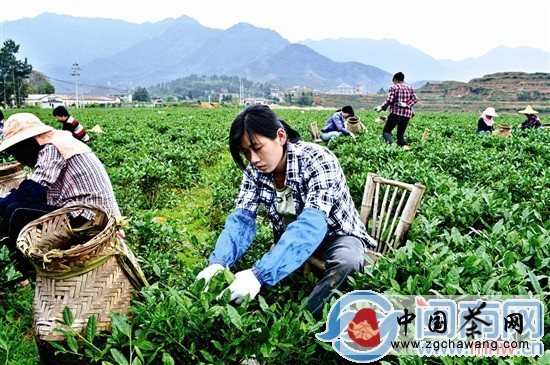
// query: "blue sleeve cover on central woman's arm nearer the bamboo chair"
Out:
[296,245]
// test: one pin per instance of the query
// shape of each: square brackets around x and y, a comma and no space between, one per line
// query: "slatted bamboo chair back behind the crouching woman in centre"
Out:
[388,209]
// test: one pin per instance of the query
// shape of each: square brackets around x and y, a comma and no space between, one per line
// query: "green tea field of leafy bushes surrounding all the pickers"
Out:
[483,227]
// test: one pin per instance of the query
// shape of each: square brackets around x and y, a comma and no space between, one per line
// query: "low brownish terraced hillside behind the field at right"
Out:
[505,91]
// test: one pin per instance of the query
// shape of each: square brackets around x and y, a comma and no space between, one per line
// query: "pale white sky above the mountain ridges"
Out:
[443,29]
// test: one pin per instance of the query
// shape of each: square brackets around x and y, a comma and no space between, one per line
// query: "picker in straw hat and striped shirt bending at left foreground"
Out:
[66,172]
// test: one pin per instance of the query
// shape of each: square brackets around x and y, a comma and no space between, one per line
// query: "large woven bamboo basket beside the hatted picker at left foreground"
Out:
[79,269]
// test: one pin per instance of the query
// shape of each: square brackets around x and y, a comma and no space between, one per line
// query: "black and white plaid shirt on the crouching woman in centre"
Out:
[317,181]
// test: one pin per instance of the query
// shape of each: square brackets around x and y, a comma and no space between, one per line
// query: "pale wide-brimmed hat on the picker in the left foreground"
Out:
[21,126]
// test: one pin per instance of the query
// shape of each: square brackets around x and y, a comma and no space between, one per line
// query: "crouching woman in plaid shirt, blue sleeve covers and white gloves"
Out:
[305,195]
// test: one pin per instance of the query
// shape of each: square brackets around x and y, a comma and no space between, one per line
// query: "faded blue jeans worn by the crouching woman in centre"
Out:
[343,256]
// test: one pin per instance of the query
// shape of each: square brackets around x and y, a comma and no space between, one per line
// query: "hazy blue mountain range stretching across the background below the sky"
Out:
[114,55]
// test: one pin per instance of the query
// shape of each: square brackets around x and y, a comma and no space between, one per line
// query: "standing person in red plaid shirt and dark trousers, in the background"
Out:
[401,99]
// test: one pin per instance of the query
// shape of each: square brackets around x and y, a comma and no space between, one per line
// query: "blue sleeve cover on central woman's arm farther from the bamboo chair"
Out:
[236,237]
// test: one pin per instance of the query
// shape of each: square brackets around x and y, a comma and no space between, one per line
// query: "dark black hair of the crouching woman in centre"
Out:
[256,120]
